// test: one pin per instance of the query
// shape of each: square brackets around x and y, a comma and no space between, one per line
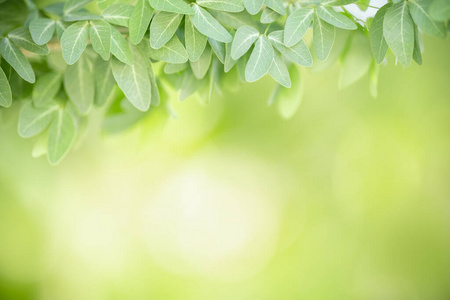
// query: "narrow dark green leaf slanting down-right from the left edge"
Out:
[17,60]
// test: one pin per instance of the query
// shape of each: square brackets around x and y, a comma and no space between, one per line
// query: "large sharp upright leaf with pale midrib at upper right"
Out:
[399,32]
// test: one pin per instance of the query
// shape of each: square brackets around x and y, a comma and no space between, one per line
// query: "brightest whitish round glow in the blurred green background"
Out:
[210,226]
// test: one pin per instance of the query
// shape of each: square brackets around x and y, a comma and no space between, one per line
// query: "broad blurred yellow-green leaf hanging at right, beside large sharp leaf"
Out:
[356,61]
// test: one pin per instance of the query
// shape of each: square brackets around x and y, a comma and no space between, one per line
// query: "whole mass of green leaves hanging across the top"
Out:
[59,61]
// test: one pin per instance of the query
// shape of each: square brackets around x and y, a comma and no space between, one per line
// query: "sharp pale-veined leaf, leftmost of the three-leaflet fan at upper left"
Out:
[74,40]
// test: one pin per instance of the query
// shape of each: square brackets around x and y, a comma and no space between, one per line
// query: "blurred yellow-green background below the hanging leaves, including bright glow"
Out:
[350,199]
